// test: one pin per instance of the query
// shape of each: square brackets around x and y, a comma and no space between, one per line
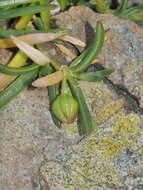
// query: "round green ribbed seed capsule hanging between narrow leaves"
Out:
[65,108]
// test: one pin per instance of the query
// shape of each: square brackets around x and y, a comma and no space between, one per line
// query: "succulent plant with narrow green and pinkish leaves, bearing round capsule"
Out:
[67,102]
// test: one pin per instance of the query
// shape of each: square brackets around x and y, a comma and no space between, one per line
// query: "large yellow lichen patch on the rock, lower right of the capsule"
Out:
[91,163]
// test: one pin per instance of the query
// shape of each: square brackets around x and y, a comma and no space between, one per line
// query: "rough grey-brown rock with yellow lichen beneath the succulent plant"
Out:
[35,155]
